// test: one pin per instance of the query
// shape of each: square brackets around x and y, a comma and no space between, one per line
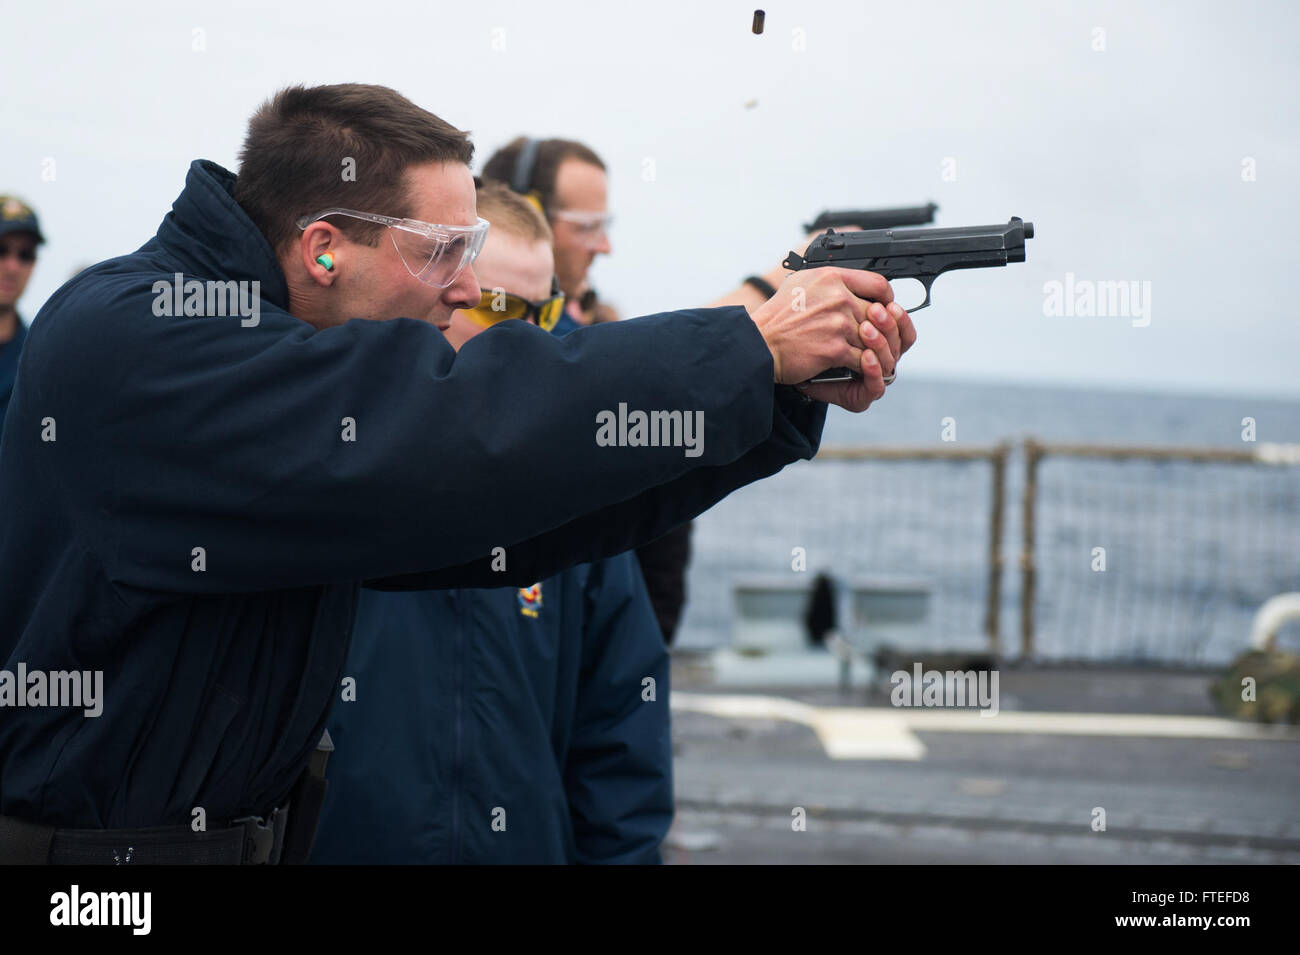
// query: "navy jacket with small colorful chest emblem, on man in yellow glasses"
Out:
[504,726]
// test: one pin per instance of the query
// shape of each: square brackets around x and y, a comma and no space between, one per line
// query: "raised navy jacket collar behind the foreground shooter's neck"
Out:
[210,236]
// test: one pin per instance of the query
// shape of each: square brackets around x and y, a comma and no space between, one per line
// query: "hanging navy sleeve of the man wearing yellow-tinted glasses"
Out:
[618,772]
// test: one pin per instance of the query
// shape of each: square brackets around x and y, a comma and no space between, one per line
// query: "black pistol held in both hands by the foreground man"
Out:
[920,254]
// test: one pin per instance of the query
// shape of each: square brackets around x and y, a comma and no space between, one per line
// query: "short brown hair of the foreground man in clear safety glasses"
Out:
[298,147]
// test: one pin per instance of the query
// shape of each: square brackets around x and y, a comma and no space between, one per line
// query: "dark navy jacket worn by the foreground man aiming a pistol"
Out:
[136,440]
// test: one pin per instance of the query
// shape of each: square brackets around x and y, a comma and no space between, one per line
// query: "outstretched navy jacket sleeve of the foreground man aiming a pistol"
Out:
[197,455]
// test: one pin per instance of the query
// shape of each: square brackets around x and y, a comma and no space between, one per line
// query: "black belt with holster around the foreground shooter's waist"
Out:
[246,841]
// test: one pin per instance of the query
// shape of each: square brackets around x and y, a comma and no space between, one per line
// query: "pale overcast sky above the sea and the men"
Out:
[1126,132]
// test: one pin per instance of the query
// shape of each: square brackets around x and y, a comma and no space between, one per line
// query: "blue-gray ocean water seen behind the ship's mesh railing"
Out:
[1190,550]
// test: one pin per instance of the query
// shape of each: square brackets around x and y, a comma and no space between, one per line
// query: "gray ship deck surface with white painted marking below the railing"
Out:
[987,797]
